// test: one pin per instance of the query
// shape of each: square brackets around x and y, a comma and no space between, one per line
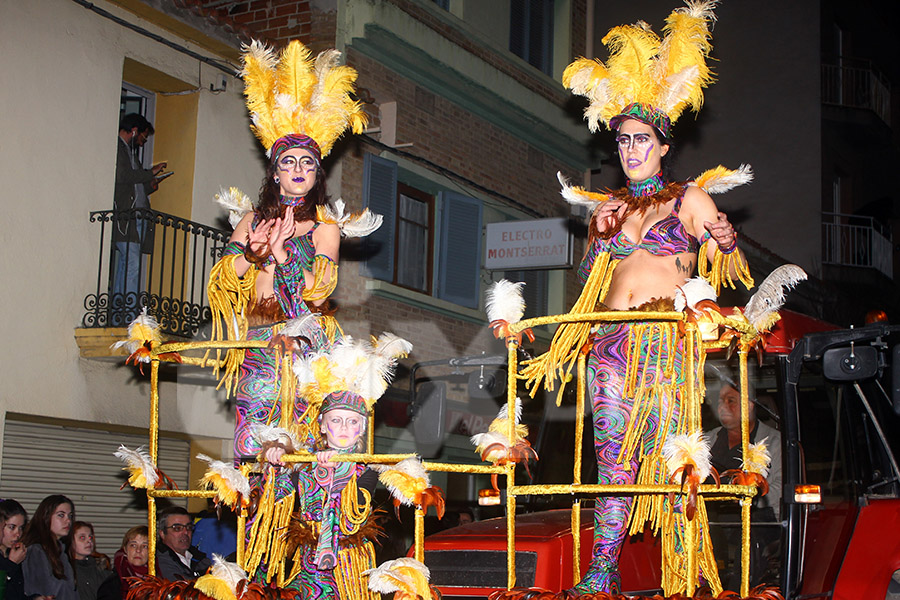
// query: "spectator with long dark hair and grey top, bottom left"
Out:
[48,575]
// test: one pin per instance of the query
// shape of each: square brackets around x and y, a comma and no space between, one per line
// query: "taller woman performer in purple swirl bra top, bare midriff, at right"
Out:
[645,241]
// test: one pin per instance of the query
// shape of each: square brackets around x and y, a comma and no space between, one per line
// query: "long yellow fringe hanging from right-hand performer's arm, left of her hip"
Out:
[559,360]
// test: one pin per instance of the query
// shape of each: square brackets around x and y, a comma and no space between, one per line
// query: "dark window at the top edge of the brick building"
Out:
[531,32]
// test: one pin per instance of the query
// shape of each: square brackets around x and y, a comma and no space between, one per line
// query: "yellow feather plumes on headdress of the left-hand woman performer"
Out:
[292,92]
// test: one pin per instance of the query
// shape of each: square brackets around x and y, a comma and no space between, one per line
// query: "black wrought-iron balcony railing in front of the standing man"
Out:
[167,276]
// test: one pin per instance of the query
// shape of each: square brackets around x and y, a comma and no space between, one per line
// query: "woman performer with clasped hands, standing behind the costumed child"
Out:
[281,262]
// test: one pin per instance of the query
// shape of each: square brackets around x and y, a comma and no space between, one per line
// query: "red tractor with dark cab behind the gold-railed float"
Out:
[835,399]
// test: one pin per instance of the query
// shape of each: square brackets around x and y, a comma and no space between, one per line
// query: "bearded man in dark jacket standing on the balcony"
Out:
[133,186]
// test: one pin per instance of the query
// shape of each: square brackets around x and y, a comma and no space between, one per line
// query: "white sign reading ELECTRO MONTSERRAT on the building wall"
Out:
[537,244]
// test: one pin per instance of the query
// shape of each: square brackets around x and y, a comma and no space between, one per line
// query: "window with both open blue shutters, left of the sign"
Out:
[429,241]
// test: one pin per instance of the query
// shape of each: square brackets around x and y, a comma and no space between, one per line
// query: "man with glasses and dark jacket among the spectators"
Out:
[176,558]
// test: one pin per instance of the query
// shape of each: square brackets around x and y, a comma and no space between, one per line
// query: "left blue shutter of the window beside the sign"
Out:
[380,196]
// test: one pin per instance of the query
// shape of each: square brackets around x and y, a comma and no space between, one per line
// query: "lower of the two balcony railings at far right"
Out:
[856,241]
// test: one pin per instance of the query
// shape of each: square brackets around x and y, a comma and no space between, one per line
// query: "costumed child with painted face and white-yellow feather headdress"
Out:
[332,529]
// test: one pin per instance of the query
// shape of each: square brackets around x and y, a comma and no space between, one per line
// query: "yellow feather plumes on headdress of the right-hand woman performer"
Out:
[646,77]
